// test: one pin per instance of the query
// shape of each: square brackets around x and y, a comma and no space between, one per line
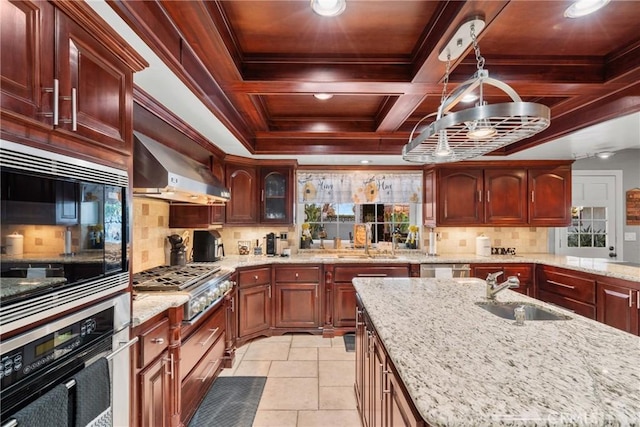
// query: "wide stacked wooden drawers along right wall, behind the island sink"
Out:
[570,289]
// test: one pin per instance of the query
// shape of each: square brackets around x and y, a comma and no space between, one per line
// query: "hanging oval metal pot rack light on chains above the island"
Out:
[474,131]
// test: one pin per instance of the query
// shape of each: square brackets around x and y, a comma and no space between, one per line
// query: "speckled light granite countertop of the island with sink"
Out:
[465,366]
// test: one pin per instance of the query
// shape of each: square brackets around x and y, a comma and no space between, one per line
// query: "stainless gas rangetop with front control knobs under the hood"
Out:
[205,283]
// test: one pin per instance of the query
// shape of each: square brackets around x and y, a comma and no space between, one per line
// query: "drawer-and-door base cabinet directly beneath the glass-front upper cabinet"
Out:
[298,296]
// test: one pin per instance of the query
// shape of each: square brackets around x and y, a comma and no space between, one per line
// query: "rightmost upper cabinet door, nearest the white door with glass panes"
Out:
[550,197]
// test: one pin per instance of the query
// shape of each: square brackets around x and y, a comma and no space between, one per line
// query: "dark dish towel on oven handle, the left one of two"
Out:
[49,410]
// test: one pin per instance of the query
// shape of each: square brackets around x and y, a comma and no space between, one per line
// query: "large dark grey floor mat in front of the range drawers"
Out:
[230,402]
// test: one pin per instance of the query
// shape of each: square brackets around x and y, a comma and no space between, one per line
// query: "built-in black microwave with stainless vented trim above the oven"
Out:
[65,234]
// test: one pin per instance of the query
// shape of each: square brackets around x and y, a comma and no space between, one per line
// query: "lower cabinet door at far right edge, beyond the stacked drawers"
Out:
[618,306]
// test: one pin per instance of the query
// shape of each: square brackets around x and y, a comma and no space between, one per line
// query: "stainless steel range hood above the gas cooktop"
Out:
[163,173]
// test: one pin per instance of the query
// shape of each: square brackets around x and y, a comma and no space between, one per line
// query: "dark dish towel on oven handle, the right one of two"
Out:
[93,392]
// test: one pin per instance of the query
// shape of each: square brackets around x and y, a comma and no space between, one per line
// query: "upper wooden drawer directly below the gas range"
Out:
[194,347]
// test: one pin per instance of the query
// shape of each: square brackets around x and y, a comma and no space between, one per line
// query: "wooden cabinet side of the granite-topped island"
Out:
[380,395]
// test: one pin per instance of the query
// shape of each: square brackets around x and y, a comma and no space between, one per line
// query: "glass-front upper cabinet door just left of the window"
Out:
[276,196]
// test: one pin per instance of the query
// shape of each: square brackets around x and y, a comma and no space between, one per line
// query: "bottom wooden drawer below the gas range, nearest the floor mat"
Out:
[194,386]
